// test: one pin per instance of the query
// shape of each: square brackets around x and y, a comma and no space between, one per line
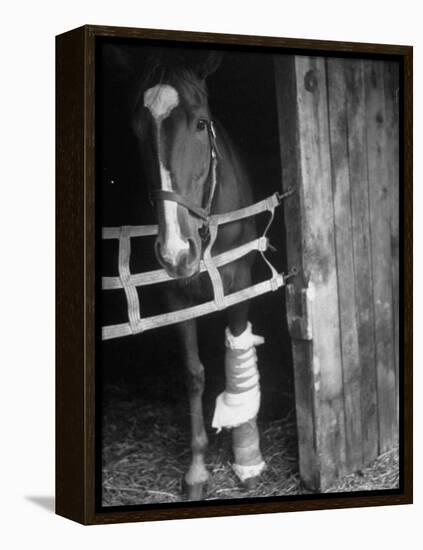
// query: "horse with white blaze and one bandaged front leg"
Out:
[194,172]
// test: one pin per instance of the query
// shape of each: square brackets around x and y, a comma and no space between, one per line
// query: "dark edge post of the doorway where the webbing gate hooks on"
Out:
[302,350]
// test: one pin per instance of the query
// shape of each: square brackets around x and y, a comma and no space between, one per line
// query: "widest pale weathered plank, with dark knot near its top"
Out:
[319,265]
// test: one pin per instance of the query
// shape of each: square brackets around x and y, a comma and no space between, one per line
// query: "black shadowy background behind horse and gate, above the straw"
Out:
[242,98]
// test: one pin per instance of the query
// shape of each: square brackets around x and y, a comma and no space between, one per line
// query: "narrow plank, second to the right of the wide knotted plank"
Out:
[360,219]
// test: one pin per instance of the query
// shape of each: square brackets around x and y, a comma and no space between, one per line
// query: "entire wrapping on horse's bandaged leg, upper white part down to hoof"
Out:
[238,405]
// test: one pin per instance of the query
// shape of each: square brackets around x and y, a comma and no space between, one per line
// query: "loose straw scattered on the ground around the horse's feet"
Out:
[146,452]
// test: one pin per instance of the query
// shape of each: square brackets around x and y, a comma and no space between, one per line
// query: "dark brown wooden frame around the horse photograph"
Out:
[77,454]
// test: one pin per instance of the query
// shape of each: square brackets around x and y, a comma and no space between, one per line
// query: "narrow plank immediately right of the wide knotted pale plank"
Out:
[338,127]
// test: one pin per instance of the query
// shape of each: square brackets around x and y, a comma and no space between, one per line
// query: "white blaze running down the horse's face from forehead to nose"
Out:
[160,100]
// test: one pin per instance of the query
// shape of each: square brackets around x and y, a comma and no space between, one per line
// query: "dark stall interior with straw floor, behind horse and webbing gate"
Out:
[142,376]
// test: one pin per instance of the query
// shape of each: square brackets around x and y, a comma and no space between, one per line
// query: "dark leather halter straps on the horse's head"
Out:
[197,211]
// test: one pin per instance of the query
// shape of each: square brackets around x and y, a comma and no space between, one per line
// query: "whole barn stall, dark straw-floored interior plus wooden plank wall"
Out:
[328,128]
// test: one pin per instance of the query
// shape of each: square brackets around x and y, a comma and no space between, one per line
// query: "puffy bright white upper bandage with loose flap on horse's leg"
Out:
[240,401]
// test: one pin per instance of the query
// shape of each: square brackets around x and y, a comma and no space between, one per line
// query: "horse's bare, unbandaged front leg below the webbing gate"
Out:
[197,475]
